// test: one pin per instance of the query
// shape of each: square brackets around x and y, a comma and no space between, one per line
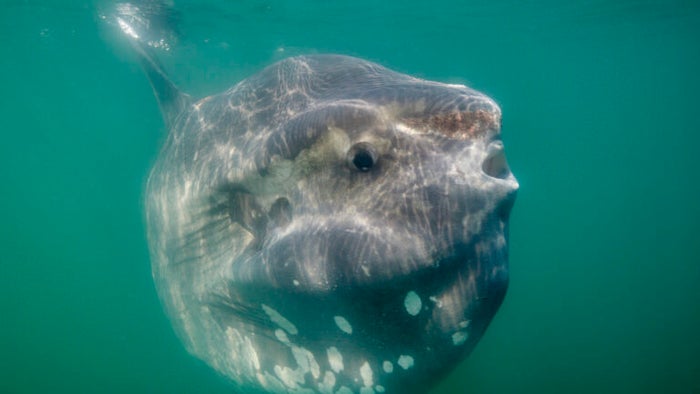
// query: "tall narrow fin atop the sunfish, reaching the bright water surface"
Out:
[147,25]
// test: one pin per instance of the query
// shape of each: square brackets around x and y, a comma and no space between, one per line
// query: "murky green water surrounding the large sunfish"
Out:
[601,126]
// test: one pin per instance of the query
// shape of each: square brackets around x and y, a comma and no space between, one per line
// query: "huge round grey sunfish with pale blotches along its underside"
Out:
[329,225]
